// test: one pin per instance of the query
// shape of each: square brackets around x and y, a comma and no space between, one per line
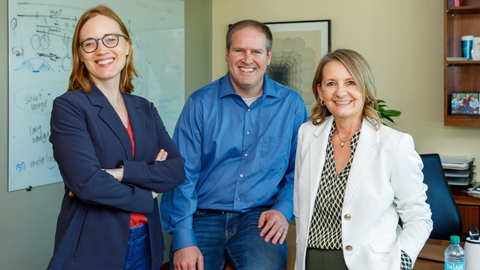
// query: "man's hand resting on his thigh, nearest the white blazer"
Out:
[275,224]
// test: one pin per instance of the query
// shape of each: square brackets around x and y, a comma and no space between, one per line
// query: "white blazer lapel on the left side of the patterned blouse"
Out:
[317,148]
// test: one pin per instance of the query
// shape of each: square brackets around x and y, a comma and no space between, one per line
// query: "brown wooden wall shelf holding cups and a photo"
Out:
[460,76]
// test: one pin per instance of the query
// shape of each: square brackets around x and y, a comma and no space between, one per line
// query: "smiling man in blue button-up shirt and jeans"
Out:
[238,136]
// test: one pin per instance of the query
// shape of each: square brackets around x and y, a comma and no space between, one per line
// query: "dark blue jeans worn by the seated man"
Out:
[223,236]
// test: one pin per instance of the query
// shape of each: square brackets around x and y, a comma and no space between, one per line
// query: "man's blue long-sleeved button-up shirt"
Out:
[237,157]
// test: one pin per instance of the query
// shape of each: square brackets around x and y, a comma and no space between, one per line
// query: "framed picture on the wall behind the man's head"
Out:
[298,47]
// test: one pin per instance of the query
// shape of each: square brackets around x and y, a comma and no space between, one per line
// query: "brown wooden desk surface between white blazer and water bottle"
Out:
[431,256]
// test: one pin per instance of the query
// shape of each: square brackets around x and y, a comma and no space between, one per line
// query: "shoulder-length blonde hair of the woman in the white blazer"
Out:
[358,67]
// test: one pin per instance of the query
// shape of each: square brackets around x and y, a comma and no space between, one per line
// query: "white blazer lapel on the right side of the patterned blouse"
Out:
[364,154]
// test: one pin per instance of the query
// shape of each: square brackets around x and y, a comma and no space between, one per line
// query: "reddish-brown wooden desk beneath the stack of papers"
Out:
[469,208]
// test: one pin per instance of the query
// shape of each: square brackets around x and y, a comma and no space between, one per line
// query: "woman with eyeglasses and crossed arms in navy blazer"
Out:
[114,155]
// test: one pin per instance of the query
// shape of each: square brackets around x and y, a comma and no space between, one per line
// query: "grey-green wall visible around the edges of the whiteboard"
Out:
[28,219]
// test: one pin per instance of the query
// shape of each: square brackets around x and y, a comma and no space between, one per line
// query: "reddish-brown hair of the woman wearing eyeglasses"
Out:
[80,75]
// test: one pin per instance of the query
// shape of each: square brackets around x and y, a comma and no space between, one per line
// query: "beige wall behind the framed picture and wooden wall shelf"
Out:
[403,42]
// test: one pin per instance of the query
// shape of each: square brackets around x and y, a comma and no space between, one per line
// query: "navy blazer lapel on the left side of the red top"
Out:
[110,117]
